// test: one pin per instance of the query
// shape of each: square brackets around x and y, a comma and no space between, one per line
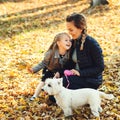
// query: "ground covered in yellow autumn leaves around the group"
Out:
[27,27]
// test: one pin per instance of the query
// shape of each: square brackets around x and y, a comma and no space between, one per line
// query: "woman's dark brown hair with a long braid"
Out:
[79,22]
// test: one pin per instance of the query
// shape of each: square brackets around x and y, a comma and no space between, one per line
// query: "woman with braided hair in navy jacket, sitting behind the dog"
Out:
[86,55]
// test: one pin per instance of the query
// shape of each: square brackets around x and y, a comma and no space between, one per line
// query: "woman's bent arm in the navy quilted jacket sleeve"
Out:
[97,60]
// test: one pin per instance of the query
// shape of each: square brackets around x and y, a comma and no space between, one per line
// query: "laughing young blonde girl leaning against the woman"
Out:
[55,60]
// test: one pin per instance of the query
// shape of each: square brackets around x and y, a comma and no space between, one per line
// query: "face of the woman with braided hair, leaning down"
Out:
[73,30]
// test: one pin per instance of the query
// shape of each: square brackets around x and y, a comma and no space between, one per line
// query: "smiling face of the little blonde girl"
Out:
[64,43]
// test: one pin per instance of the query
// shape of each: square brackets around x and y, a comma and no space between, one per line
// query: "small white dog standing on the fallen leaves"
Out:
[68,99]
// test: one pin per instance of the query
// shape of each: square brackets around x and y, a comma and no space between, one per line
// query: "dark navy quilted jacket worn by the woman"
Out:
[90,59]
